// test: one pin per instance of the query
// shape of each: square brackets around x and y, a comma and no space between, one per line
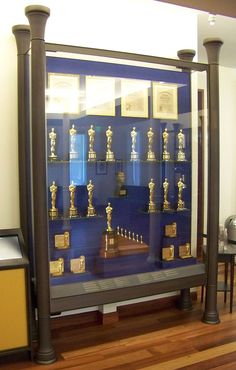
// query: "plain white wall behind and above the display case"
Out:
[141,26]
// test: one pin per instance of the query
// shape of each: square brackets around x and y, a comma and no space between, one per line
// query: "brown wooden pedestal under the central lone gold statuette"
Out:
[109,247]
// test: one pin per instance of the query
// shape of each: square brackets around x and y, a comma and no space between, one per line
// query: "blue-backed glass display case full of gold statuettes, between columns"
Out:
[122,177]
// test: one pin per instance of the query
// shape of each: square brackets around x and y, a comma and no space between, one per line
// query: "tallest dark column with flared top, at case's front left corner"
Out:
[37,16]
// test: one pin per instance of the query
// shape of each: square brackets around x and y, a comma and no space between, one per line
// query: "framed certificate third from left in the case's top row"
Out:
[134,98]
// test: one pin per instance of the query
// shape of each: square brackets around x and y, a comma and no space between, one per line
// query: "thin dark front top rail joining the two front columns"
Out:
[127,56]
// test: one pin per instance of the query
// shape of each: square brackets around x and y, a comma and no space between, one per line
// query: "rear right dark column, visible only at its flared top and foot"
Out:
[185,302]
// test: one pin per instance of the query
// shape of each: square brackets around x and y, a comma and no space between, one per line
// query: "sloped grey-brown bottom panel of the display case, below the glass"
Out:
[76,295]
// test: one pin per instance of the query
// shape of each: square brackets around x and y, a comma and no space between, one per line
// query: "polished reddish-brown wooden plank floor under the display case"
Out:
[161,339]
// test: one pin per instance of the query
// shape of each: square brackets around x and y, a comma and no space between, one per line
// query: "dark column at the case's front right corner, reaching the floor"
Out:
[213,46]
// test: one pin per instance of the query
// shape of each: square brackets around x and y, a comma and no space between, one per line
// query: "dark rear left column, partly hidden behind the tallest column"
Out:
[22,36]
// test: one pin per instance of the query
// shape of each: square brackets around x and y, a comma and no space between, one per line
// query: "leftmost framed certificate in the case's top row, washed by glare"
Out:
[63,93]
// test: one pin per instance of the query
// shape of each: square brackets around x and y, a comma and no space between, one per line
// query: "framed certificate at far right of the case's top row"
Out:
[165,100]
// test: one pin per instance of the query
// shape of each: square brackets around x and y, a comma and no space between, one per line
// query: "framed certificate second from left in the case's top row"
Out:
[100,96]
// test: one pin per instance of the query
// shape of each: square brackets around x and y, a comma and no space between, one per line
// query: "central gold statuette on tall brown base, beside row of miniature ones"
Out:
[109,237]
